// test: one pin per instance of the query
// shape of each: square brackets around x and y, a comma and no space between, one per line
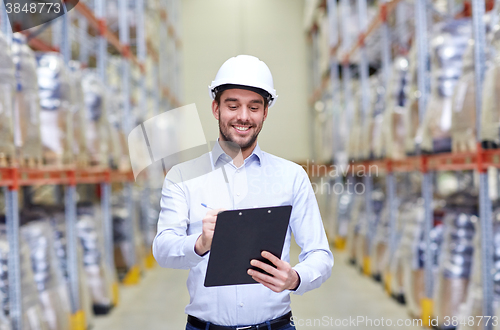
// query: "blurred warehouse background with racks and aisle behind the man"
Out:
[390,107]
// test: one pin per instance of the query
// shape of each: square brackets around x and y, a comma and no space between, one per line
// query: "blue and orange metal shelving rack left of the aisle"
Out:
[165,96]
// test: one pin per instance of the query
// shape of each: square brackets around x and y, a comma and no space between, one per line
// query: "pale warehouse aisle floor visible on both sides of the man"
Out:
[158,302]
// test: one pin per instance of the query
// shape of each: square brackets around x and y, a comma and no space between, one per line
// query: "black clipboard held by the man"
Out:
[239,237]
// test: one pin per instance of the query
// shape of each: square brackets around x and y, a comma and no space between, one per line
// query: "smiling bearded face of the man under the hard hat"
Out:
[241,114]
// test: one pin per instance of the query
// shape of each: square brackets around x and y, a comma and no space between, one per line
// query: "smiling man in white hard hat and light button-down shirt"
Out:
[237,174]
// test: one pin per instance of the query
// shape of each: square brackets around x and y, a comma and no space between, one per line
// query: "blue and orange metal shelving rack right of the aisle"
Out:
[479,161]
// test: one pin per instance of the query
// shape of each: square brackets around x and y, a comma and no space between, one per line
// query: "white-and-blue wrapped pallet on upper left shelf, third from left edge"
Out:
[56,124]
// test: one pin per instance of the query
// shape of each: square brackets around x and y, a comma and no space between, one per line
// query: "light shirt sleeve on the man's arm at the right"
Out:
[316,259]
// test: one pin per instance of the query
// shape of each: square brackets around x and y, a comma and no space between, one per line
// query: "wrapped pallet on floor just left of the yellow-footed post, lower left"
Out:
[52,289]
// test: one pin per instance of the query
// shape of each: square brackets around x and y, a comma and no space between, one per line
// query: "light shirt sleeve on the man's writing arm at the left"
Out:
[172,246]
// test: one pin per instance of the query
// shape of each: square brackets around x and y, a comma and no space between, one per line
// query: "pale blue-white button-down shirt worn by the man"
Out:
[263,180]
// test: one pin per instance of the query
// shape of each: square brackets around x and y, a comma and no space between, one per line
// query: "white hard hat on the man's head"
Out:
[245,71]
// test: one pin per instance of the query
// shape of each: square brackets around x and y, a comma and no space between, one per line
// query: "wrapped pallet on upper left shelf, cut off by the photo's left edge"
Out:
[7,92]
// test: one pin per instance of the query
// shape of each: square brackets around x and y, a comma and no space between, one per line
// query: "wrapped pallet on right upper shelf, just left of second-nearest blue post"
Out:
[394,121]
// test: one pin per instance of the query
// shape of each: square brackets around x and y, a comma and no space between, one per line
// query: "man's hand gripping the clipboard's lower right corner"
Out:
[284,277]
